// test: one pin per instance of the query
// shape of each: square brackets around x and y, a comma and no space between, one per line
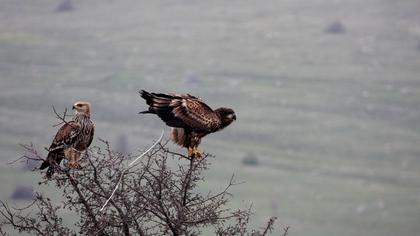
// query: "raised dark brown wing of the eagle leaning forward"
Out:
[182,111]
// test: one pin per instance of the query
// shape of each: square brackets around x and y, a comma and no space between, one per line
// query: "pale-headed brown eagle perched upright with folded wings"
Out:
[71,140]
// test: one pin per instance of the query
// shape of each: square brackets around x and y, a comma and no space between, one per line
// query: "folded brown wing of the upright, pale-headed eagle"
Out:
[65,136]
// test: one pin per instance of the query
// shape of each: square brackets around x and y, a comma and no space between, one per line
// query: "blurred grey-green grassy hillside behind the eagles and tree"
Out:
[333,119]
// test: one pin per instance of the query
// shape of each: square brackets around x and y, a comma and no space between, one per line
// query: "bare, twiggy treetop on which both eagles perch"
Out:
[156,193]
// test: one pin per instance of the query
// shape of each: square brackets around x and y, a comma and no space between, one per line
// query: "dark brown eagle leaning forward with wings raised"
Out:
[190,118]
